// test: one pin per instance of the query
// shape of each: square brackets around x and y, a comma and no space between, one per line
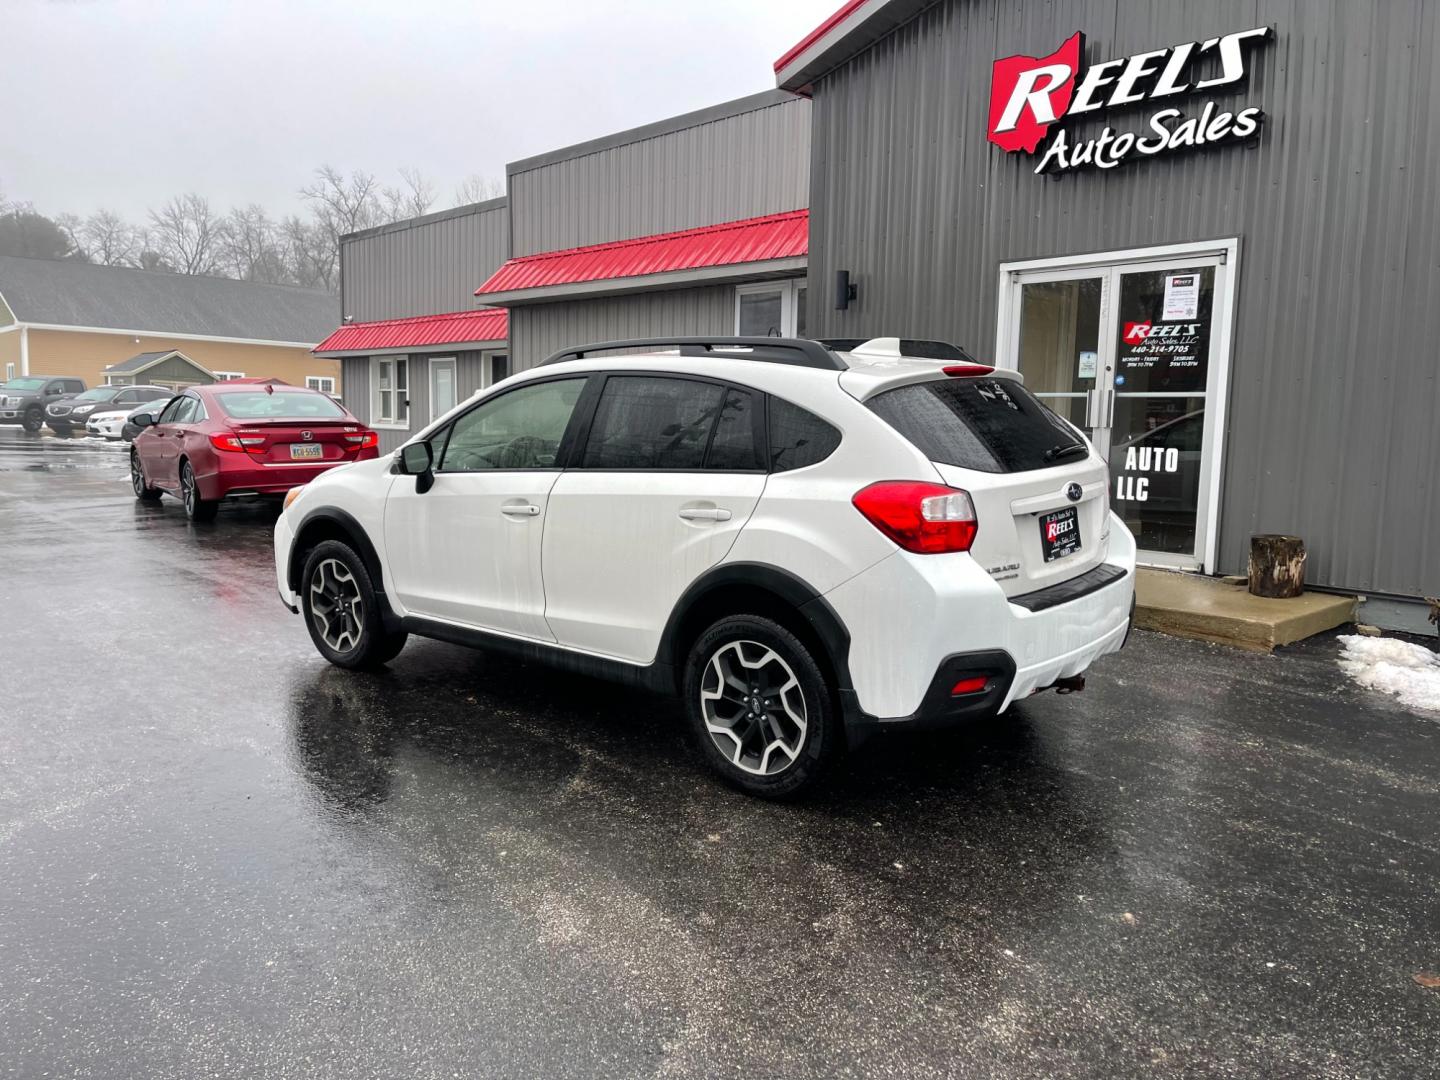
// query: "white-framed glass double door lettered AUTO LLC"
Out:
[1133,355]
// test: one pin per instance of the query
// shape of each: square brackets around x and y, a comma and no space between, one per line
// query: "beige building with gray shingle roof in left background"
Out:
[63,318]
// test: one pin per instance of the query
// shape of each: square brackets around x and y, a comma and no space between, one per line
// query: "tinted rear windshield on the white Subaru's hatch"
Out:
[989,426]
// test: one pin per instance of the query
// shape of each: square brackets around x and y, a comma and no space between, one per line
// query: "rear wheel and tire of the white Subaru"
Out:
[761,709]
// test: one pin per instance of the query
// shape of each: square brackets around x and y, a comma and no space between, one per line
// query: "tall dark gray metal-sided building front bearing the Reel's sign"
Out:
[1327,228]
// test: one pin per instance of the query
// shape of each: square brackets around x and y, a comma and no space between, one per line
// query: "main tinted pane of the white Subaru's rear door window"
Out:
[652,424]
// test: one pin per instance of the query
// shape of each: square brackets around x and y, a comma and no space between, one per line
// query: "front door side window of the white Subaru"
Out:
[521,430]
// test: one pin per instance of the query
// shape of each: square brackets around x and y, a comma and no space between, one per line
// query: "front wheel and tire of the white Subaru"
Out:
[339,603]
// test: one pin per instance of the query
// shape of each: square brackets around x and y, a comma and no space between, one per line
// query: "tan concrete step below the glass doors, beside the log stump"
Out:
[1216,610]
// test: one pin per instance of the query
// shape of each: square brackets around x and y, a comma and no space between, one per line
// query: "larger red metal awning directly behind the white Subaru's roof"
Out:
[755,240]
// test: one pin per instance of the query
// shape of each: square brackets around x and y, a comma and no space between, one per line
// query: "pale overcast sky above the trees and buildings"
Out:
[126,103]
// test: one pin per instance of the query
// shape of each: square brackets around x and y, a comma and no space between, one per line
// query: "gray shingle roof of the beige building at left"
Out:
[77,294]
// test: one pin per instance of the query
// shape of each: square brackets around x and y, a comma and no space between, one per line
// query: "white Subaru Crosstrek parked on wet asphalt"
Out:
[809,542]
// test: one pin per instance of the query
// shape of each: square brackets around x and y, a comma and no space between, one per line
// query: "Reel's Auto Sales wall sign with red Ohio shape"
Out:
[1033,94]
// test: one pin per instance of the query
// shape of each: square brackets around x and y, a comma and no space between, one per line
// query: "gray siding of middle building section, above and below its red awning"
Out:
[739,161]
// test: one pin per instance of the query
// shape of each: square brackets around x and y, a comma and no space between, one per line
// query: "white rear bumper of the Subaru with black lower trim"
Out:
[917,623]
